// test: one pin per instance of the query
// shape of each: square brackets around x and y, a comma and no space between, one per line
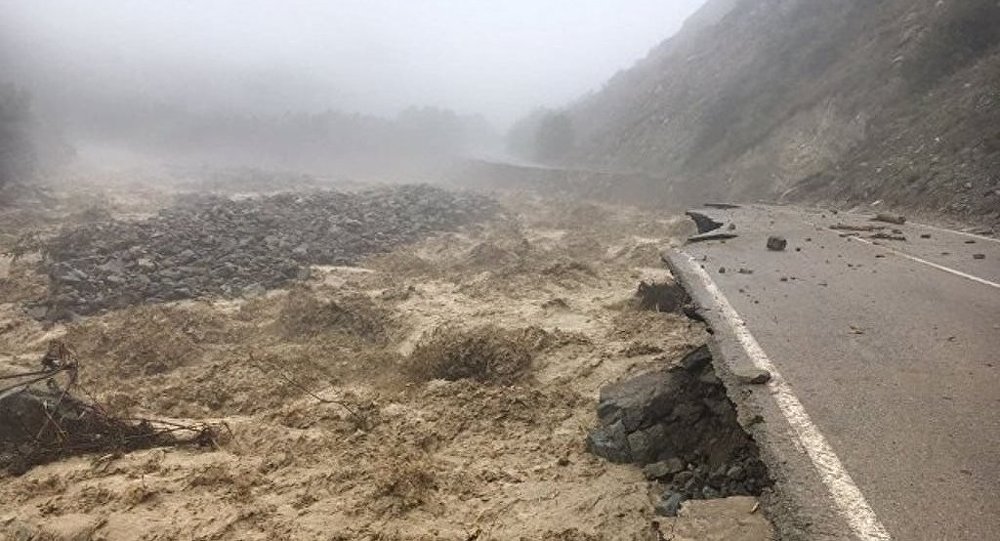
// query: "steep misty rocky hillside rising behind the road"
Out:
[846,101]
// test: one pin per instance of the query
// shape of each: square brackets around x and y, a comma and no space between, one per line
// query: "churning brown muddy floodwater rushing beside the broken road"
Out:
[340,425]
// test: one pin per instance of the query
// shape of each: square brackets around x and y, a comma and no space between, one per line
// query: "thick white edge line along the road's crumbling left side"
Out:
[850,502]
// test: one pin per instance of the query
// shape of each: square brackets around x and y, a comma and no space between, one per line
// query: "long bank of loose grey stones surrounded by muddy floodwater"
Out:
[210,245]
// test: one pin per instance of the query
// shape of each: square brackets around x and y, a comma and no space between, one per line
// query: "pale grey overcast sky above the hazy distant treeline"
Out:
[496,57]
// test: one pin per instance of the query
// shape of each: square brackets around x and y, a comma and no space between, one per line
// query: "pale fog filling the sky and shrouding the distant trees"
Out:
[287,79]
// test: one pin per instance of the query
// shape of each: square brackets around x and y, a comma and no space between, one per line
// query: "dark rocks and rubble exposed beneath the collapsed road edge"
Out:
[680,425]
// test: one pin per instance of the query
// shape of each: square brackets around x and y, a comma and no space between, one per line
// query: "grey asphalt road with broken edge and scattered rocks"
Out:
[891,348]
